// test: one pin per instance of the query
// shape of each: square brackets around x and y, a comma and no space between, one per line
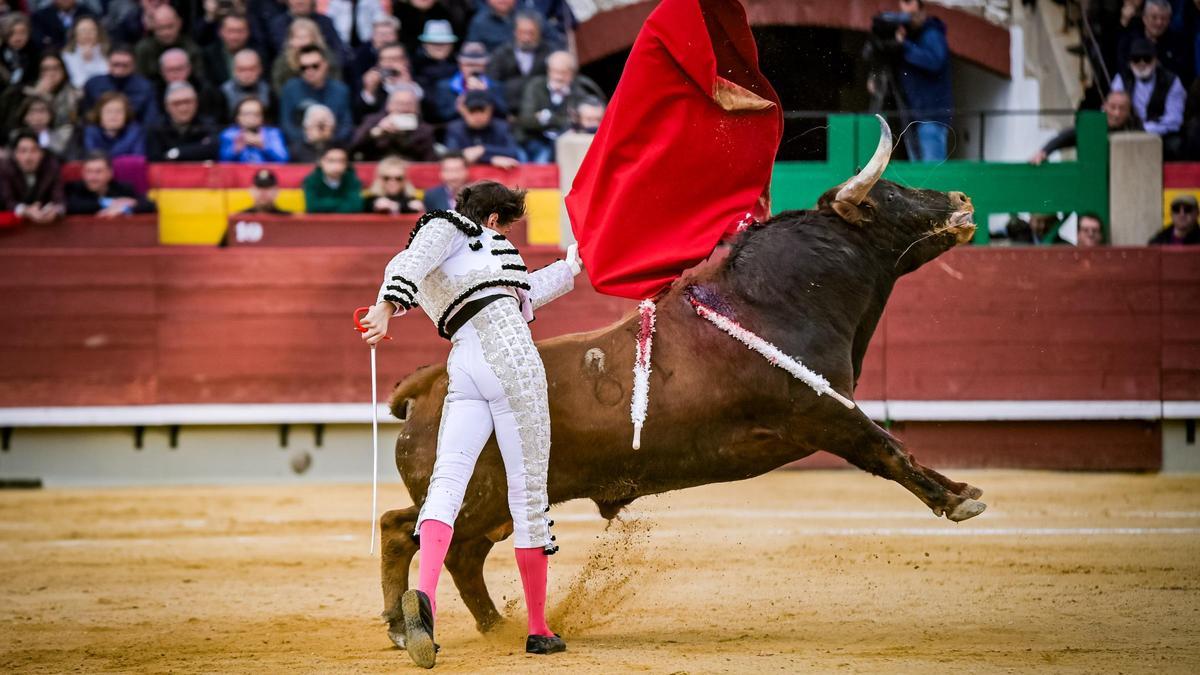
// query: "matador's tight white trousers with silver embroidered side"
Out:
[497,383]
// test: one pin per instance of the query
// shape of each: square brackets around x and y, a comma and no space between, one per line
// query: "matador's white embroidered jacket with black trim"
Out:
[452,260]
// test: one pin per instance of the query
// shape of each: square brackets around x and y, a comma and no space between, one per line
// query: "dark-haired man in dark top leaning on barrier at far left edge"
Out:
[32,182]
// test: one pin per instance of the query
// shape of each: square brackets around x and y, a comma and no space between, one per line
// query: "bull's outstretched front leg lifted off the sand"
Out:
[871,449]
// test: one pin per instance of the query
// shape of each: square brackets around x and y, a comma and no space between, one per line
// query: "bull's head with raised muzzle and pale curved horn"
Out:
[919,224]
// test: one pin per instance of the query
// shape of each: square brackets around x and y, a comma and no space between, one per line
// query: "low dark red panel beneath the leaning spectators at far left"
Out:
[85,232]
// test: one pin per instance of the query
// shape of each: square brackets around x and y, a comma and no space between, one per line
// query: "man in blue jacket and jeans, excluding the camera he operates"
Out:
[926,80]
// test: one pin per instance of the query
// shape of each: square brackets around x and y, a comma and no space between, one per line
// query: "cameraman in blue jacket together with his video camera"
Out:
[910,47]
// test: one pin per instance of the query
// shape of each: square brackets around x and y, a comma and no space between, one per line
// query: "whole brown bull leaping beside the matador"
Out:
[814,283]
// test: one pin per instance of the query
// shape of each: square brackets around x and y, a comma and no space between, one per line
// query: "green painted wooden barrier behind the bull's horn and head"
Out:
[994,188]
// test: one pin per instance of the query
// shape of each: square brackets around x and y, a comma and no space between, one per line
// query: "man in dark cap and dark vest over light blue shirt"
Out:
[1159,97]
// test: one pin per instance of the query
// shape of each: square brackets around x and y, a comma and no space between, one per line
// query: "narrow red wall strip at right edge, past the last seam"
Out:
[1181,325]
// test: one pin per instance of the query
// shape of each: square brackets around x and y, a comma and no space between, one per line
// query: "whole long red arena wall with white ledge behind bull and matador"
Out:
[988,357]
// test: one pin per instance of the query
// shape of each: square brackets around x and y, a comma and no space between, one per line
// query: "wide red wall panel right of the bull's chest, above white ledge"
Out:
[1028,324]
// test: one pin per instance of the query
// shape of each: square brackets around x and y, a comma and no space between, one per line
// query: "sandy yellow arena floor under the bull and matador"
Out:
[793,572]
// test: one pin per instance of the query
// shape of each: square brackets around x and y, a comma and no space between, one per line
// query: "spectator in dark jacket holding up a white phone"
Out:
[397,130]
